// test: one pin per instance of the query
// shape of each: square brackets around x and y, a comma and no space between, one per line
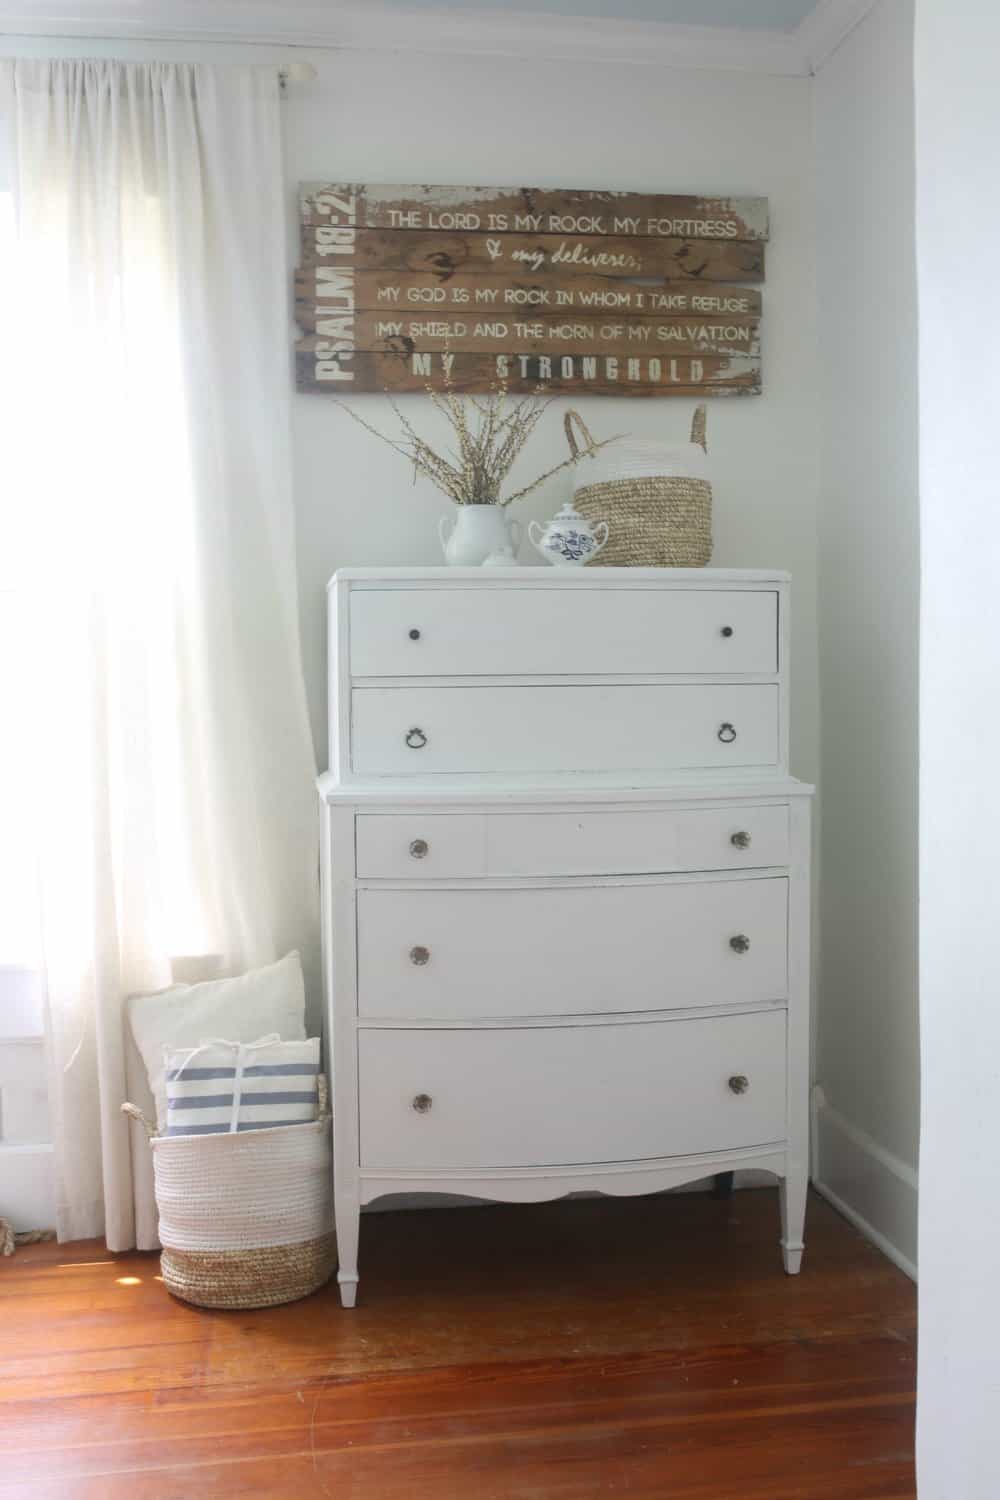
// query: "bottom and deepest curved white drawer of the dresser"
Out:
[540,1097]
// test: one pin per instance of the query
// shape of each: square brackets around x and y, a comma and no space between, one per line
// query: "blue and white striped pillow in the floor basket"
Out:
[226,1087]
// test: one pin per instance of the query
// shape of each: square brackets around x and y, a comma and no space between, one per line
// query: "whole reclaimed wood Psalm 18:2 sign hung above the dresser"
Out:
[588,293]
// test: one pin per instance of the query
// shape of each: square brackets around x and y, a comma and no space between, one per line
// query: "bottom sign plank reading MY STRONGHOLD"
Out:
[320,367]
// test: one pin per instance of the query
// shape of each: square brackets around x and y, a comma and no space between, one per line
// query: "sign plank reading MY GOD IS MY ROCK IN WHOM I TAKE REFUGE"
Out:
[430,292]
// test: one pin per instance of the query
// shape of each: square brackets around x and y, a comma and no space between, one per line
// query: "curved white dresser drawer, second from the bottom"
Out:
[433,955]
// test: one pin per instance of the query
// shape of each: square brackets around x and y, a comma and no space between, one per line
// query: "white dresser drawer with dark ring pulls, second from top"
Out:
[415,731]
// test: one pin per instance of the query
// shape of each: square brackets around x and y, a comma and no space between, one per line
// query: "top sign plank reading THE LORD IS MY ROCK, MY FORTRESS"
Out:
[534,211]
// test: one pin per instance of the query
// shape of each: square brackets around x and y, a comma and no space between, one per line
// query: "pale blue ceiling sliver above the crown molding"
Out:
[753,16]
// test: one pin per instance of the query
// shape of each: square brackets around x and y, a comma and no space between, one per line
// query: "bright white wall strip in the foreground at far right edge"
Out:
[959,232]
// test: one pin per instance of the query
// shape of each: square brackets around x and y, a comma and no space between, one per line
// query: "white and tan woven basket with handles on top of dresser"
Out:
[656,499]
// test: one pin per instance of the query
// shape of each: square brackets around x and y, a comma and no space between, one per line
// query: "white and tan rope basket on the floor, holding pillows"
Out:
[245,1219]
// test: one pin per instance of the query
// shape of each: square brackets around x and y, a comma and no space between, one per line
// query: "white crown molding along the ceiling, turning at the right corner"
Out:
[361,28]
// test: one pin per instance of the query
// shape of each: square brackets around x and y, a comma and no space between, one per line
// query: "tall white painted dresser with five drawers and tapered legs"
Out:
[566,887]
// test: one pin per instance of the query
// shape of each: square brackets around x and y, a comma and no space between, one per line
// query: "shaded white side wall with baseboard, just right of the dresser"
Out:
[867,1055]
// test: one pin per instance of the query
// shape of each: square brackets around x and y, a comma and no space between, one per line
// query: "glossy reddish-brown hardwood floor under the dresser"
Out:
[645,1348]
